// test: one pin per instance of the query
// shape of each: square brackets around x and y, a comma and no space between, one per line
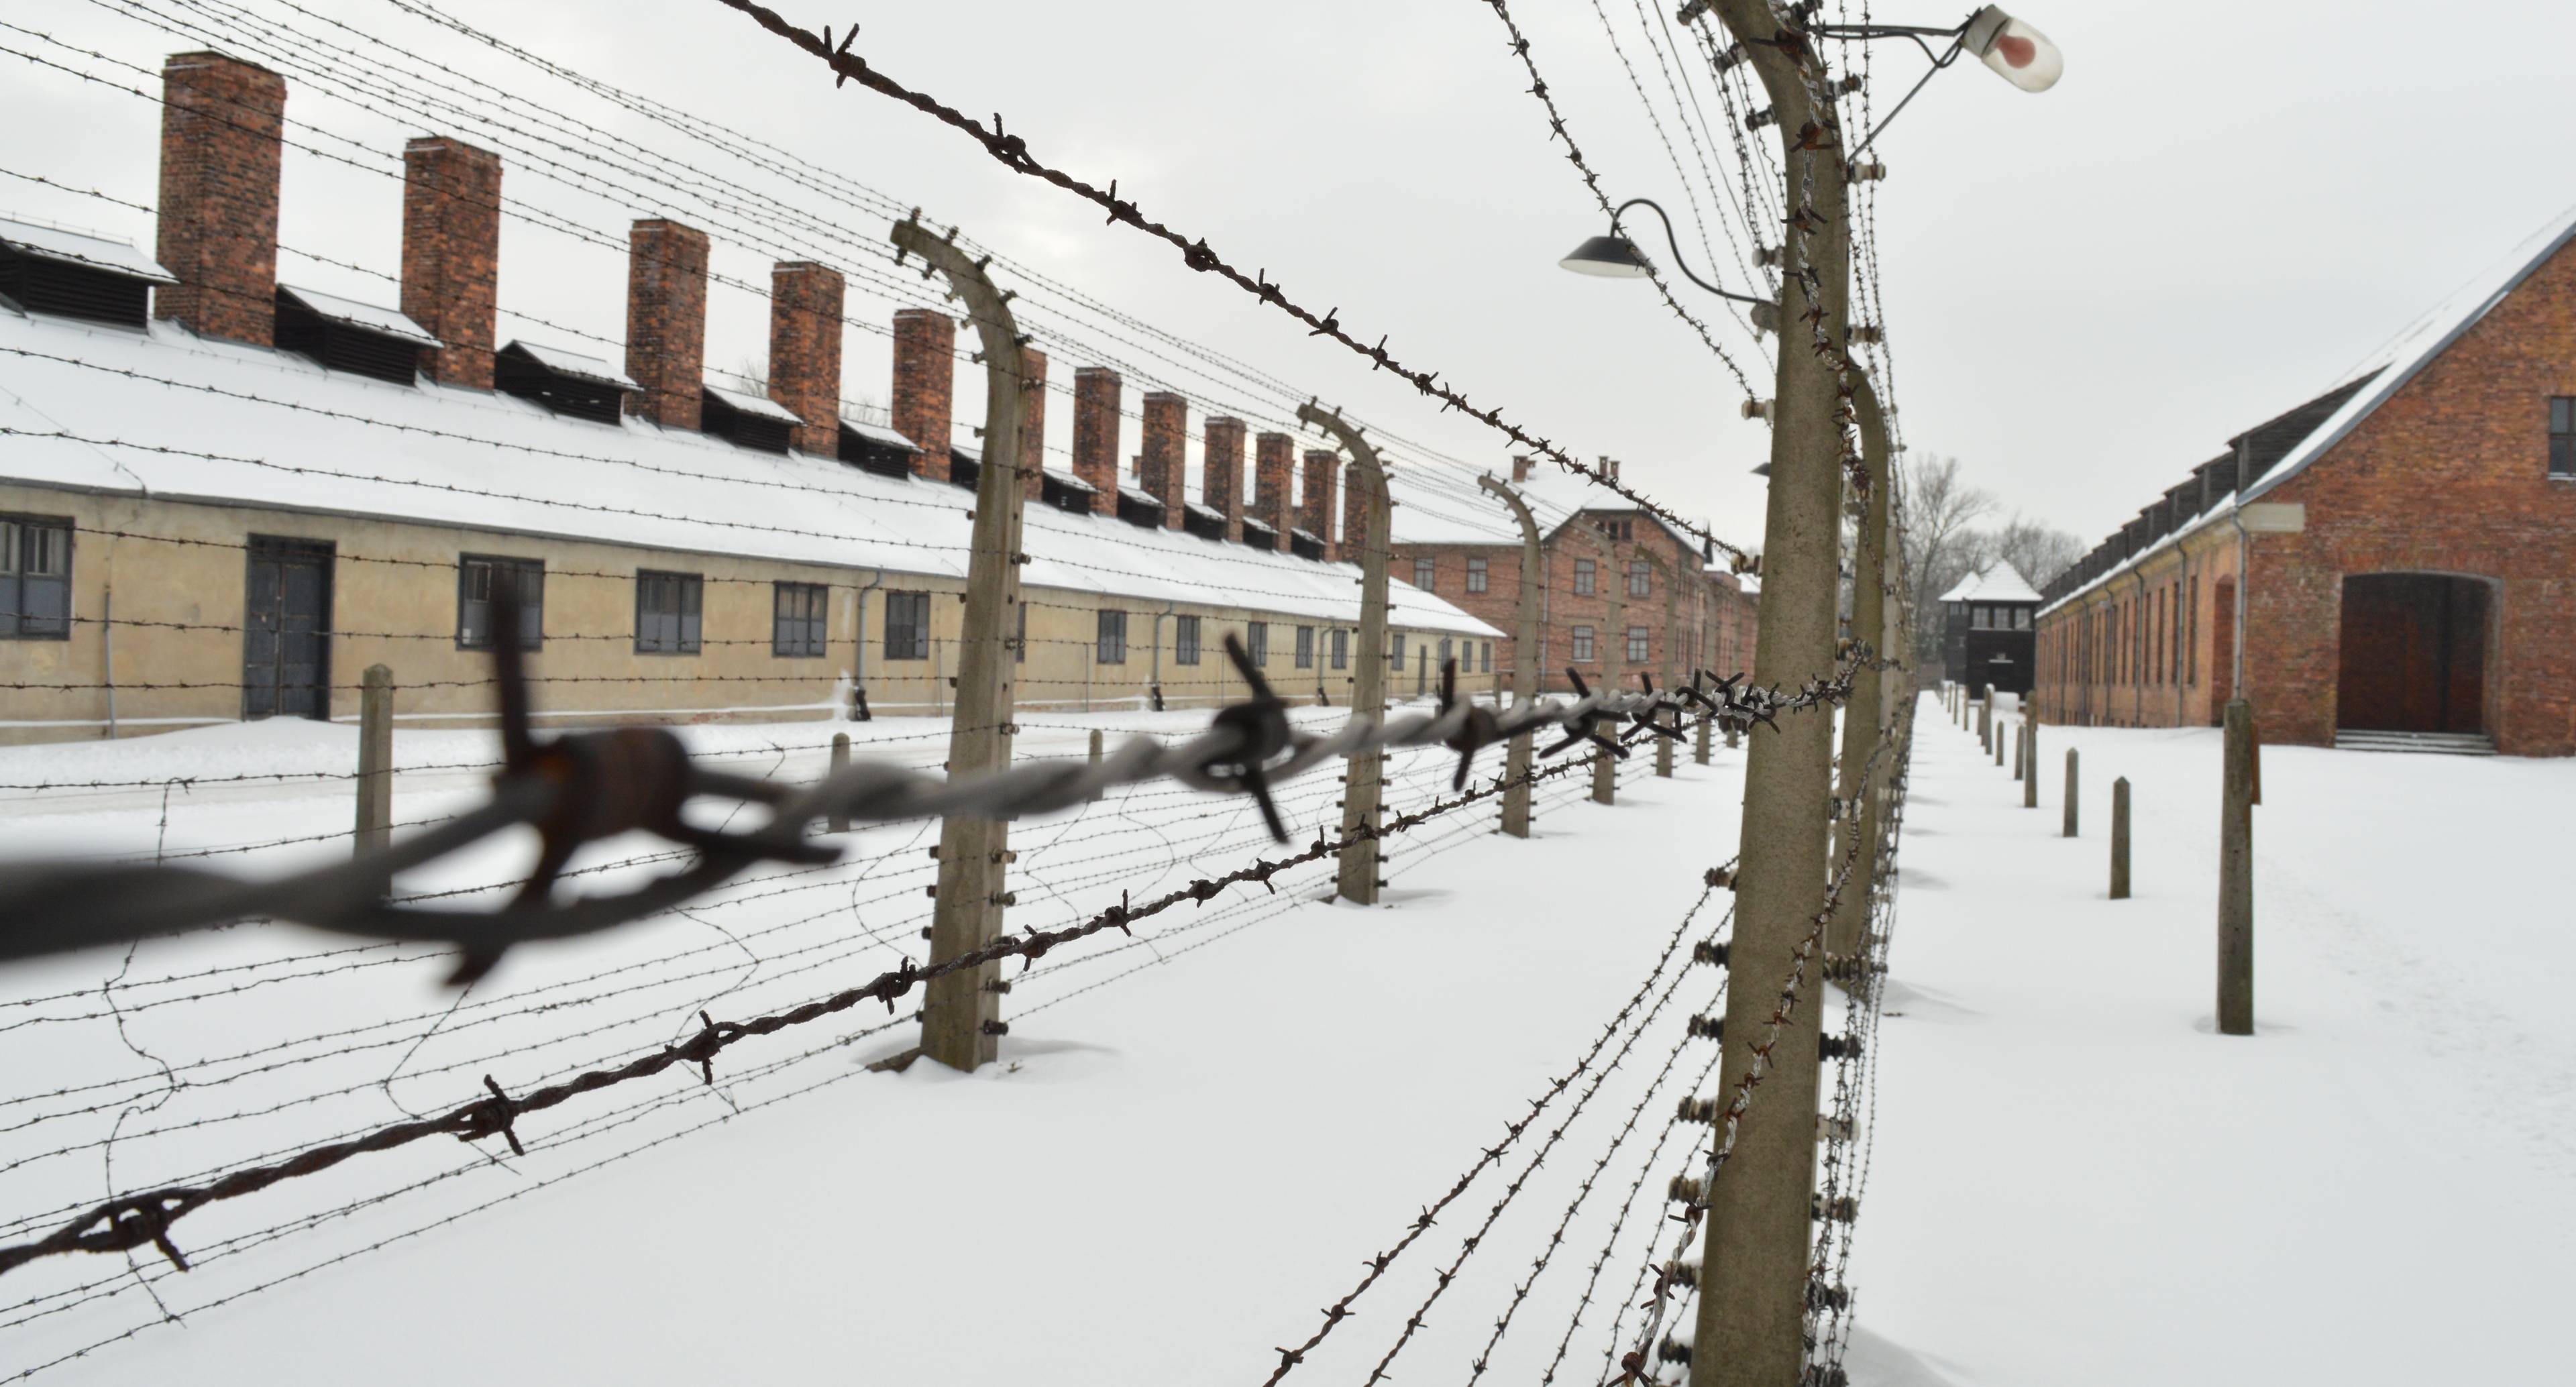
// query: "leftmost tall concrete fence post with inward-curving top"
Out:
[962,1013]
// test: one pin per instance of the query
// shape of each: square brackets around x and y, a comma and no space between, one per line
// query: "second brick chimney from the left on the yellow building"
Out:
[452,256]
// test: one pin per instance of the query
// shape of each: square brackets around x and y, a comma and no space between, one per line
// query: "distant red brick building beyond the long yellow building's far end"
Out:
[1596,552]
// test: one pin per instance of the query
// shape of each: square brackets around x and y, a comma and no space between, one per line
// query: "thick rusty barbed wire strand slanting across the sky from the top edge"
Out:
[1014,153]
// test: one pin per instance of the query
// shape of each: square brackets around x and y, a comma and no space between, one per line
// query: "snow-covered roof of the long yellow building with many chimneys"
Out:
[264,428]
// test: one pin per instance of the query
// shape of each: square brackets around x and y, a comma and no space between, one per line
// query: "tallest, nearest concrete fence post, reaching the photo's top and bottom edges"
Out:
[1758,1208]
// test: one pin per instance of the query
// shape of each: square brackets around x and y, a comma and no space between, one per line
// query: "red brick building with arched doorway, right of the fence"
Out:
[2389,565]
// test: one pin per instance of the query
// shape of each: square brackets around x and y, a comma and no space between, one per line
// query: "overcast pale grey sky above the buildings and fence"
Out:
[2211,217]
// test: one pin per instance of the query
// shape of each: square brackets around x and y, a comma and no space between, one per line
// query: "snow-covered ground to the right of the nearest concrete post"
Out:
[2078,1180]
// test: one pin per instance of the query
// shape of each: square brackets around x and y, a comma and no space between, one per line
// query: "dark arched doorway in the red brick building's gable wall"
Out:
[2412,655]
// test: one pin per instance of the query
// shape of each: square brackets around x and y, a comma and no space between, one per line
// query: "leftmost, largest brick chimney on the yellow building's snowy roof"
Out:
[220,197]
